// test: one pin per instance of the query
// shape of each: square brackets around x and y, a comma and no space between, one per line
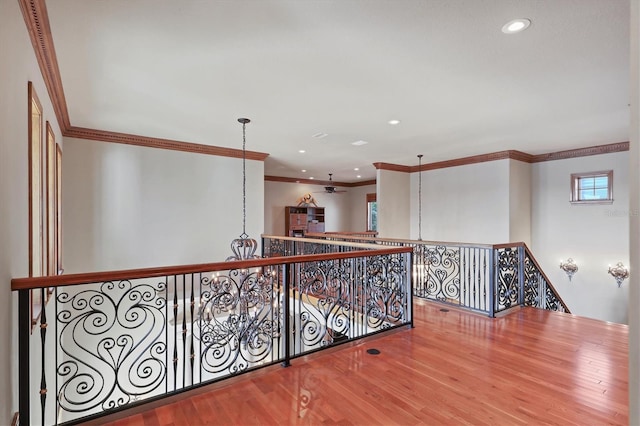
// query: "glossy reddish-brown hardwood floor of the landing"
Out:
[528,367]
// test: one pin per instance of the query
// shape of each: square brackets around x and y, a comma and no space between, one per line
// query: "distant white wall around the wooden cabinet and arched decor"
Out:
[278,195]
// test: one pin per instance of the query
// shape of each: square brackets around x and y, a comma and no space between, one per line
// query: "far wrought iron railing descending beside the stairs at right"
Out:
[483,278]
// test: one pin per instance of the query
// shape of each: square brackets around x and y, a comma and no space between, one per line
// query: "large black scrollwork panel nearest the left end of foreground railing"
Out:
[112,344]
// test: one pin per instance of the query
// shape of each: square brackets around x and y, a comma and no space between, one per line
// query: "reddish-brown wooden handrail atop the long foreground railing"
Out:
[92,277]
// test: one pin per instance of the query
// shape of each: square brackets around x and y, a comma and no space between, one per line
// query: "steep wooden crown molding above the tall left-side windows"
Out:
[36,19]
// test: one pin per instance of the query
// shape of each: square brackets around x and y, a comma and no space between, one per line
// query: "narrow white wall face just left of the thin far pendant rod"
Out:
[394,202]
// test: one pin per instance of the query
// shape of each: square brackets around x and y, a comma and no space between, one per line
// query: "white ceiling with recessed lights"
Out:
[187,69]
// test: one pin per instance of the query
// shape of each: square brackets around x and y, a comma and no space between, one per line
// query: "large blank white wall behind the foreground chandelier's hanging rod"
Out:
[132,207]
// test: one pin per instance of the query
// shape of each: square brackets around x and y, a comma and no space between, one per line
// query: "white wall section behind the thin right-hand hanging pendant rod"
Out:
[467,203]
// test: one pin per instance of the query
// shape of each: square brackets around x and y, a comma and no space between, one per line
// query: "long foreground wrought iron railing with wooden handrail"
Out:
[109,341]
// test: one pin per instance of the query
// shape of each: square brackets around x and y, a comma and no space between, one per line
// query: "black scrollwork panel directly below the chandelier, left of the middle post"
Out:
[238,320]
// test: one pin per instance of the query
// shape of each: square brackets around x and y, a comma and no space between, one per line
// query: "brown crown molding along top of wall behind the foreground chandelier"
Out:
[128,139]
